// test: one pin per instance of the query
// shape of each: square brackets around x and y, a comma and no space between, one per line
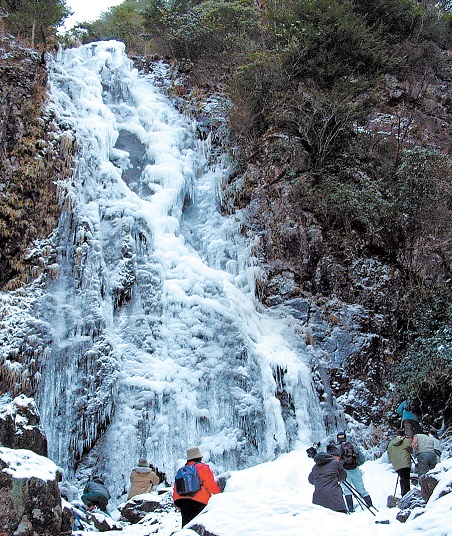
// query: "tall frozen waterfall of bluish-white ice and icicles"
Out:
[157,342]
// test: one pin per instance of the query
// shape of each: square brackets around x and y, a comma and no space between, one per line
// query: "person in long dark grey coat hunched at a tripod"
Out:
[326,474]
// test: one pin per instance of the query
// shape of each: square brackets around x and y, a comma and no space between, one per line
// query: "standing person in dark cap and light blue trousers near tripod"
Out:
[352,458]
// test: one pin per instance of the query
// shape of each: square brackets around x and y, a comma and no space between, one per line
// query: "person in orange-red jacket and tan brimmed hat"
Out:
[191,506]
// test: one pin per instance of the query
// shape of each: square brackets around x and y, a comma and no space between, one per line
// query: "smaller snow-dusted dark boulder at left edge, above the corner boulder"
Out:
[20,425]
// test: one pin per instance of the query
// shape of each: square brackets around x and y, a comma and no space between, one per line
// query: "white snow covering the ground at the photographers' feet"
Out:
[275,498]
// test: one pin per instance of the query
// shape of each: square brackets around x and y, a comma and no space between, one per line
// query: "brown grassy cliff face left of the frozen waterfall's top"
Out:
[34,156]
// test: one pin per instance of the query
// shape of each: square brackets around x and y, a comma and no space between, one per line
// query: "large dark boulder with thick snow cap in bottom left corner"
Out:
[30,497]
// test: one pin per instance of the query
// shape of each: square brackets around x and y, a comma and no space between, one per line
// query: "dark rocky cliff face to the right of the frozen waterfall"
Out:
[351,279]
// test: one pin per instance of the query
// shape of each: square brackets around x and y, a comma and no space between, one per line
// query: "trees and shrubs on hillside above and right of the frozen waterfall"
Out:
[350,102]
